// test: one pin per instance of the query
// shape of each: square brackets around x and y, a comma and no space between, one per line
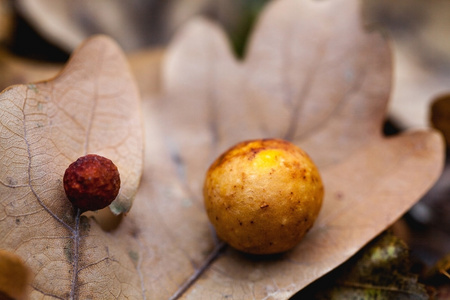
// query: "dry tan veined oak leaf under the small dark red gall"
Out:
[92,106]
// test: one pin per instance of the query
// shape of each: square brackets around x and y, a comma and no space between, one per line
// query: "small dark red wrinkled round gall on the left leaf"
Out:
[92,182]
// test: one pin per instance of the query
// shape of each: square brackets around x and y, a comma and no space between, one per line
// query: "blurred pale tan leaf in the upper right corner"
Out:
[421,51]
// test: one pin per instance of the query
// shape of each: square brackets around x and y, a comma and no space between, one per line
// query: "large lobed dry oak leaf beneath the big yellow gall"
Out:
[313,74]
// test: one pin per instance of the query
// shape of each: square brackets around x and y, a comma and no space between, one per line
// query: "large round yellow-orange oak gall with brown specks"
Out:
[262,196]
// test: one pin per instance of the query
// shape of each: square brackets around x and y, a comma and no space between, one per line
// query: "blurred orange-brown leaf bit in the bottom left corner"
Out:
[14,276]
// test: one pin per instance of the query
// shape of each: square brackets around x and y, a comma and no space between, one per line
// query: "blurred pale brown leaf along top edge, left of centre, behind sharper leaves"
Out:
[67,23]
